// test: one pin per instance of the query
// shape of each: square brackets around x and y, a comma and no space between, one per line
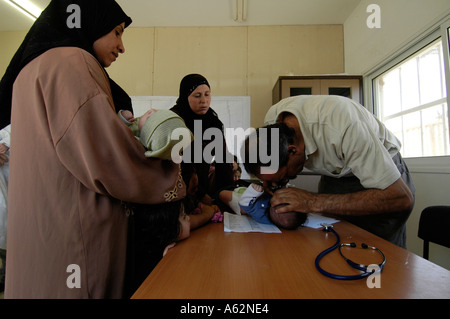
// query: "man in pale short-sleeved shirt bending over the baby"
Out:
[364,178]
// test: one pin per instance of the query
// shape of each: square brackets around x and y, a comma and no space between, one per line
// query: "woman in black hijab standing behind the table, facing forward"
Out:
[222,175]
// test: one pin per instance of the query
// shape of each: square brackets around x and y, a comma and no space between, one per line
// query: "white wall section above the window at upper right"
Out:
[401,22]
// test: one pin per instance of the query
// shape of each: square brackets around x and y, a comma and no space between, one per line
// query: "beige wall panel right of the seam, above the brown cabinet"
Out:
[275,51]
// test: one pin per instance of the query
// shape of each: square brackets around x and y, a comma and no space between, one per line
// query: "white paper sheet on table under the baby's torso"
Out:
[245,224]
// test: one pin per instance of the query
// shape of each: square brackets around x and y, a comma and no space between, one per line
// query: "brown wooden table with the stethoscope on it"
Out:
[214,264]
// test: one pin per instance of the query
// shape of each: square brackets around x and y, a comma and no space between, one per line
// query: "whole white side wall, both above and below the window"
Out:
[402,21]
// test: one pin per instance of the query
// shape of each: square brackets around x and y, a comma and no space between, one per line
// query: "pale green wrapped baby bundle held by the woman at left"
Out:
[156,128]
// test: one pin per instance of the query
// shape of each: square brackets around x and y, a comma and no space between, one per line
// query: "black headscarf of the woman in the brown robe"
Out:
[50,30]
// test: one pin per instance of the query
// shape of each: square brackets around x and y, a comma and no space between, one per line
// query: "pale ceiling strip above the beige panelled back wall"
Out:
[150,13]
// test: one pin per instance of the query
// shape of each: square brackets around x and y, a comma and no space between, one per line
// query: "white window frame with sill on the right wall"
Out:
[440,30]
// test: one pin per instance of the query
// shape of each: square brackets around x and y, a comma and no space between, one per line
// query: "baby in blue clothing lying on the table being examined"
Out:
[253,201]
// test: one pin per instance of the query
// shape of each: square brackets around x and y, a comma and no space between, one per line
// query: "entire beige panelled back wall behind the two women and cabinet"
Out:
[237,61]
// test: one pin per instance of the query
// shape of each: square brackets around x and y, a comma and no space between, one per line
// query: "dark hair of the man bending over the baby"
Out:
[286,137]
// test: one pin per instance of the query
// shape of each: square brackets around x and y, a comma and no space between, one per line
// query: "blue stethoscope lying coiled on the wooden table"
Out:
[364,268]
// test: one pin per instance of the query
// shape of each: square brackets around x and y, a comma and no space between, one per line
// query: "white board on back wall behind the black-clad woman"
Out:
[233,111]
